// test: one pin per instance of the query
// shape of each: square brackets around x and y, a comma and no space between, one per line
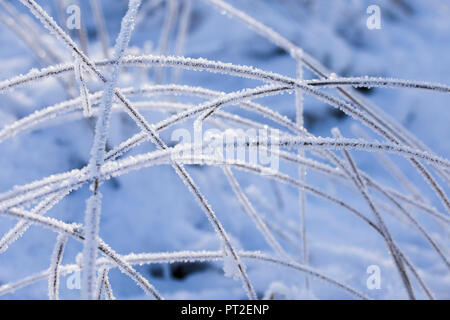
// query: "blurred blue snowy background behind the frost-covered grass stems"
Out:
[151,211]
